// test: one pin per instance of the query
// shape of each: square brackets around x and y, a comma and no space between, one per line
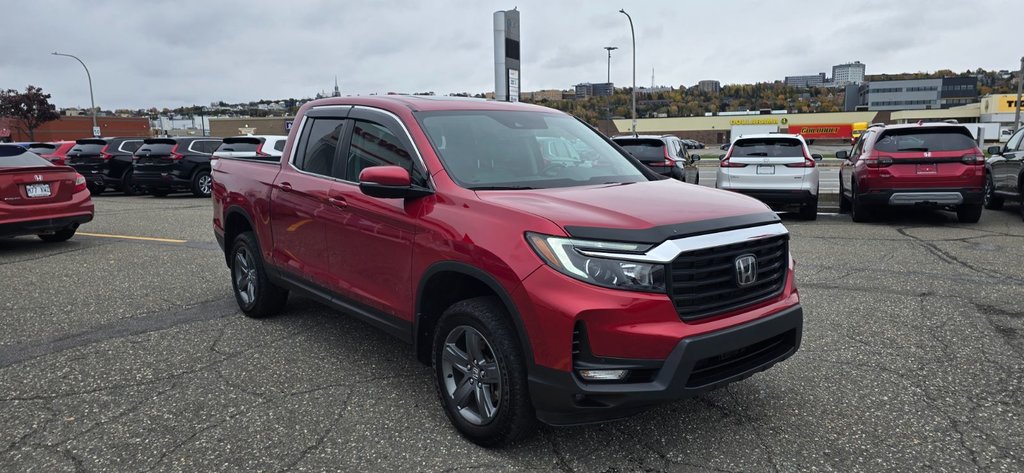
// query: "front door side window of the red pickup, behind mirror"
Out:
[372,146]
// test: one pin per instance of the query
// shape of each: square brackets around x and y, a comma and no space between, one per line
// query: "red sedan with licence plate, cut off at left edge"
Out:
[39,198]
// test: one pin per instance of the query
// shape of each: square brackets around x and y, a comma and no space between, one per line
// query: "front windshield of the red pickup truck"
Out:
[492,150]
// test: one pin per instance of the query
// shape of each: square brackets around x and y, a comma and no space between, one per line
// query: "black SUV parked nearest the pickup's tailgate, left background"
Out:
[166,165]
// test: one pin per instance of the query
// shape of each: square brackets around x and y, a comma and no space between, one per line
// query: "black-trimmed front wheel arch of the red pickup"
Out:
[470,282]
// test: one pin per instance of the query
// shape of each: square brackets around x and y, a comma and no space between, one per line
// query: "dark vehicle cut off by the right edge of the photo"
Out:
[1005,174]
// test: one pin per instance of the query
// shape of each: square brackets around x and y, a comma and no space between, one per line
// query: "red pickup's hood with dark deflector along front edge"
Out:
[644,212]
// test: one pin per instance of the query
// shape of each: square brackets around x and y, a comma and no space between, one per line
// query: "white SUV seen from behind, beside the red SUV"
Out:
[778,169]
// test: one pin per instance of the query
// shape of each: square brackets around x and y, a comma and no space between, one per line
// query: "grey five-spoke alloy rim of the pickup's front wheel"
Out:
[473,378]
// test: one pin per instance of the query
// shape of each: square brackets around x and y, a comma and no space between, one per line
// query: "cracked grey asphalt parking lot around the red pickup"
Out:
[124,355]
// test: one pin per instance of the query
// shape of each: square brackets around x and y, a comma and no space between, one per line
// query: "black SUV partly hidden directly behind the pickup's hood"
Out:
[665,155]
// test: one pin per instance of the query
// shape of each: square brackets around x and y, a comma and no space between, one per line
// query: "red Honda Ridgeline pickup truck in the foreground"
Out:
[538,288]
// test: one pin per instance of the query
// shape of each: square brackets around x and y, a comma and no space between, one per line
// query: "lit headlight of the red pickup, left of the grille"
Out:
[565,255]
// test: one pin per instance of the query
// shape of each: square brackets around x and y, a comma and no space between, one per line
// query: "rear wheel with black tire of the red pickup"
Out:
[261,297]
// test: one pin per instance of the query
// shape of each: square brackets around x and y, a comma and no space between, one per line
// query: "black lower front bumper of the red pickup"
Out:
[697,365]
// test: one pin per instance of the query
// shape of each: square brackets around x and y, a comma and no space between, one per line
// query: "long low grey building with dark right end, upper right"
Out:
[919,94]
